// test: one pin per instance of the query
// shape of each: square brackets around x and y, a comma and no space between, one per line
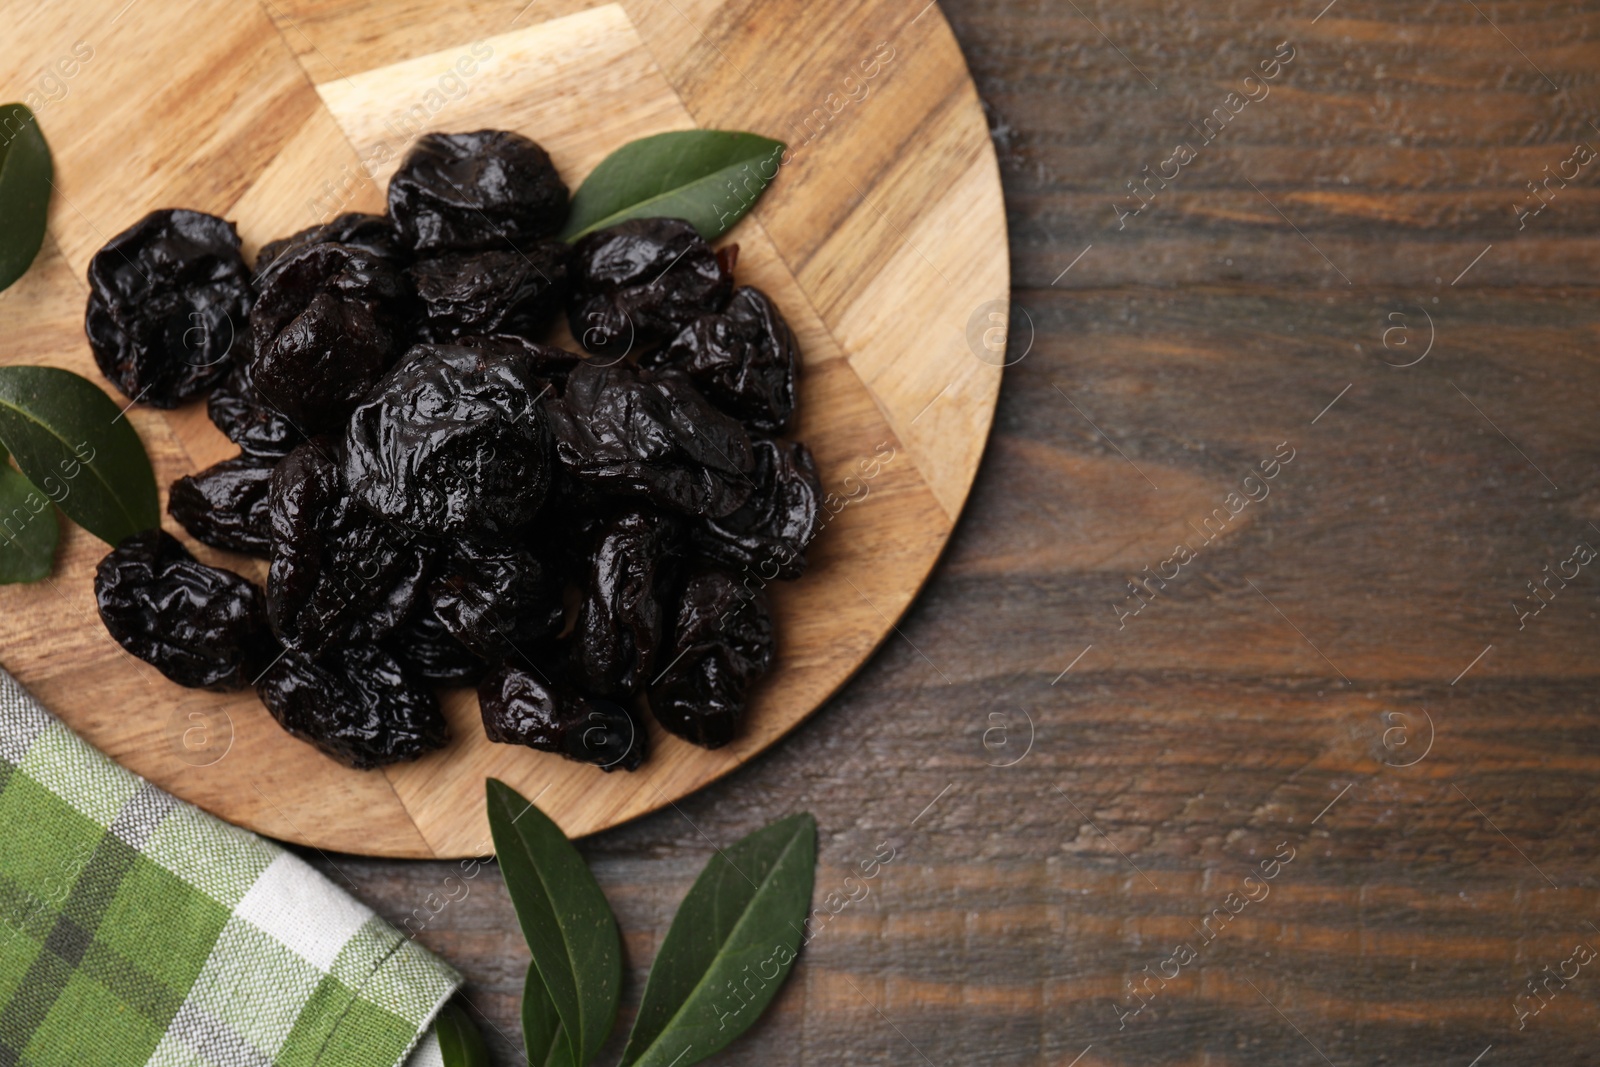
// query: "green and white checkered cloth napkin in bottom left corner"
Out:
[140,930]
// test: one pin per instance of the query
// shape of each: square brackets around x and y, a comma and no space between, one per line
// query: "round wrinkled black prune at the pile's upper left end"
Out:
[167,300]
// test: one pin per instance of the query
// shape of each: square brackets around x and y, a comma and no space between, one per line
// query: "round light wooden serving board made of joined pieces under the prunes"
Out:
[882,239]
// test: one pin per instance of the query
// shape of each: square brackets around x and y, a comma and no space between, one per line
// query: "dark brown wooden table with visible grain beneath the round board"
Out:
[1086,785]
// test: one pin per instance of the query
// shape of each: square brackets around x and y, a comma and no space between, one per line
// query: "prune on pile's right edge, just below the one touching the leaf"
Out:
[743,359]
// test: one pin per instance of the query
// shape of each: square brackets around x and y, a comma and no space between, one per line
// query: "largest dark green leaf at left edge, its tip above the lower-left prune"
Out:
[71,441]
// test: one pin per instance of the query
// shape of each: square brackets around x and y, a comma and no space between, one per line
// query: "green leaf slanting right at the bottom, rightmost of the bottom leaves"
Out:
[730,948]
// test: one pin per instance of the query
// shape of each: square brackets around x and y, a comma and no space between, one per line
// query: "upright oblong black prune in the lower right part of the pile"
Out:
[620,618]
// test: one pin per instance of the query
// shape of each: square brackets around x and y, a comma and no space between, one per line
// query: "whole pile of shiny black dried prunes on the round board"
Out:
[447,500]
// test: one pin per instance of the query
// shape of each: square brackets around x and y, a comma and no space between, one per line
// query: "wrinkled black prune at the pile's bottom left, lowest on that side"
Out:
[359,706]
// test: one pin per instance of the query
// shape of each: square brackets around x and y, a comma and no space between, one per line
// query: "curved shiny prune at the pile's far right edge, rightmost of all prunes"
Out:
[770,532]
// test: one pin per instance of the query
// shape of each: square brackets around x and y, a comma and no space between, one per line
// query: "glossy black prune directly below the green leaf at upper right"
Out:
[641,282]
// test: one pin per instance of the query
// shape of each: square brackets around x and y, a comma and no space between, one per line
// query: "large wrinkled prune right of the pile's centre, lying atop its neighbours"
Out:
[650,434]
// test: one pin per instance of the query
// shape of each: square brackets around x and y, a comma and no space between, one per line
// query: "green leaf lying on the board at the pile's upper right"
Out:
[706,177]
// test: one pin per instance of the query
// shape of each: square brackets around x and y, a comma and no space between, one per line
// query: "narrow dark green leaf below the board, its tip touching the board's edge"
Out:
[564,917]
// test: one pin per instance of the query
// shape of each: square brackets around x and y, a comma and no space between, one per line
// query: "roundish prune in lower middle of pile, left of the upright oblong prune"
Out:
[497,604]
